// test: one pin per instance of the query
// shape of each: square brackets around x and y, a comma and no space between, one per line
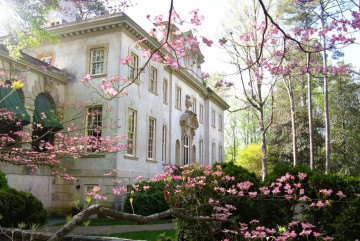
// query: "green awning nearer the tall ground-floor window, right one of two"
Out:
[45,115]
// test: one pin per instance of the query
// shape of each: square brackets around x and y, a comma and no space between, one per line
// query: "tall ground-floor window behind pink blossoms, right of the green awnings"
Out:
[93,126]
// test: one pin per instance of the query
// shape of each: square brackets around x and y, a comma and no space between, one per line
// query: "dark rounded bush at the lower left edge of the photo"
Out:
[20,207]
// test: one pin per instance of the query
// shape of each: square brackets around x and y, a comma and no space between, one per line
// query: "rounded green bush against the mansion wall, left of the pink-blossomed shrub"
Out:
[147,202]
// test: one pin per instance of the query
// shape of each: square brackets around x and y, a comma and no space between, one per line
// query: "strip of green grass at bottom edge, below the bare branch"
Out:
[144,235]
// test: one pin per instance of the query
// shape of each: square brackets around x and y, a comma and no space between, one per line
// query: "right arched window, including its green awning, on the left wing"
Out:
[46,122]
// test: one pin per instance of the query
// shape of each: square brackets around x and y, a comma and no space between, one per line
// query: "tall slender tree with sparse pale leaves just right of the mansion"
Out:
[248,54]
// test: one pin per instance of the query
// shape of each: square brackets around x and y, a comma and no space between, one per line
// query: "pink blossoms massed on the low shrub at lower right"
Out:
[204,185]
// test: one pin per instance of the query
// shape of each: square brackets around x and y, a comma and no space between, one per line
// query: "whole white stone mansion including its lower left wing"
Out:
[168,116]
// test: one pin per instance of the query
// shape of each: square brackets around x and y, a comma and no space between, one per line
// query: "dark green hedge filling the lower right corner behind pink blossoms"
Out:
[341,220]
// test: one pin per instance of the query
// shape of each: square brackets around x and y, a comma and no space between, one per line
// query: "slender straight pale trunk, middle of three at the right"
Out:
[311,134]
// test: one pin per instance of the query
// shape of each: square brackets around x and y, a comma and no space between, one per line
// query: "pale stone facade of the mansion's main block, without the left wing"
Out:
[182,115]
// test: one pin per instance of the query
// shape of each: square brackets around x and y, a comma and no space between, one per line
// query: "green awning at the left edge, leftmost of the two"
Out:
[11,101]
